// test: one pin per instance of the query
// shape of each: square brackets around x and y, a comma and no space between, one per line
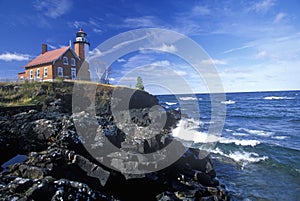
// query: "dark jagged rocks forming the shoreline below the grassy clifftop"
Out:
[61,164]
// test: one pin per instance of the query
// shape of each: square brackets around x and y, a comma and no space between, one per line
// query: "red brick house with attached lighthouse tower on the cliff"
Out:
[60,63]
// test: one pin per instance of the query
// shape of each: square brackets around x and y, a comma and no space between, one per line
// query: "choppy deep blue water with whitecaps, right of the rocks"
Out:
[257,154]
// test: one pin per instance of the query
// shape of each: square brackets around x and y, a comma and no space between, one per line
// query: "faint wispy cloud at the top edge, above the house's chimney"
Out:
[53,8]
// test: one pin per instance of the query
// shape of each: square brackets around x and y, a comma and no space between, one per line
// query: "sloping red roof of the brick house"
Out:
[48,57]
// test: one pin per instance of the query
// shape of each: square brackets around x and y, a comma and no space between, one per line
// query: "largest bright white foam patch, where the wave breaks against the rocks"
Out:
[187,129]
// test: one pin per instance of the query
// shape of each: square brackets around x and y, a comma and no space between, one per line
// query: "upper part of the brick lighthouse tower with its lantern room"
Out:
[81,44]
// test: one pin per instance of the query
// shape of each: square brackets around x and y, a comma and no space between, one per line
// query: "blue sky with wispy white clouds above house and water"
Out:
[253,45]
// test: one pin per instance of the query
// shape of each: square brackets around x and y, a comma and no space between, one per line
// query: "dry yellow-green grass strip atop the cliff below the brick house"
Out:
[33,93]
